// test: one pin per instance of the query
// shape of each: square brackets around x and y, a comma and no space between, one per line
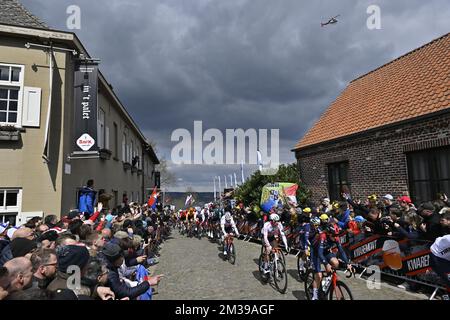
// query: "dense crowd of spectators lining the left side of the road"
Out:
[106,255]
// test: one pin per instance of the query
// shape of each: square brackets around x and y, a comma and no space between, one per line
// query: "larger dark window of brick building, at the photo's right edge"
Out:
[429,173]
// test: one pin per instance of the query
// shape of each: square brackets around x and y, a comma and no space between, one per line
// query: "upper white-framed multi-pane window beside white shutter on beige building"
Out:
[11,91]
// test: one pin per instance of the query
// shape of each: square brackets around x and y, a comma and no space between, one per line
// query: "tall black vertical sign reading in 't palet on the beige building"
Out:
[85,126]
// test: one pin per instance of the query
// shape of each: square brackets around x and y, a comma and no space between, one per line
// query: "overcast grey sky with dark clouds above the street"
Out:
[239,63]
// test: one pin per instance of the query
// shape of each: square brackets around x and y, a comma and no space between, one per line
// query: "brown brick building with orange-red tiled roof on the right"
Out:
[388,132]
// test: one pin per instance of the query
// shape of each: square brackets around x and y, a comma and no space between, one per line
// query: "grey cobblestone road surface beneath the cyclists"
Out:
[194,270]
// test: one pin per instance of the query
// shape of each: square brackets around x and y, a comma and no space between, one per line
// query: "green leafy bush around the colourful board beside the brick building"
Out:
[250,191]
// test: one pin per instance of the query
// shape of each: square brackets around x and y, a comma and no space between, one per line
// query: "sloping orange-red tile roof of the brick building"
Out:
[413,85]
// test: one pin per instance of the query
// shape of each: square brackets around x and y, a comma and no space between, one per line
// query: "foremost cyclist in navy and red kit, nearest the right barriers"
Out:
[322,245]
